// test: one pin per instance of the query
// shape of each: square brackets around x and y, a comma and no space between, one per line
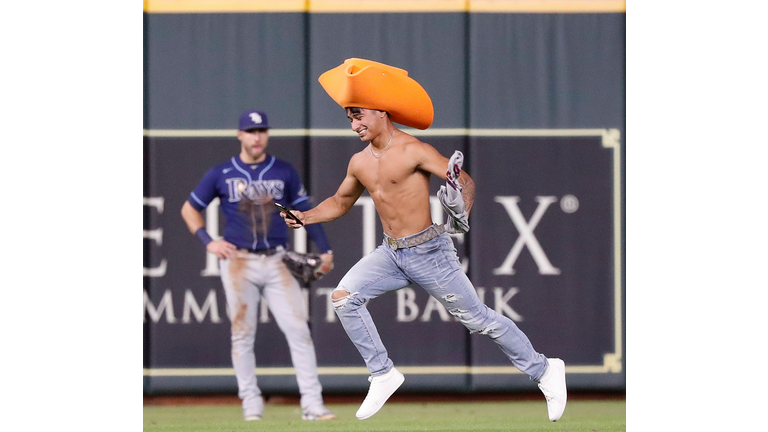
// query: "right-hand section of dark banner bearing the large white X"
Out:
[544,251]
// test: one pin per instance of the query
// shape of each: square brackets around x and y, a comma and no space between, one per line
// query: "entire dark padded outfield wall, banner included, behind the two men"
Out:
[535,102]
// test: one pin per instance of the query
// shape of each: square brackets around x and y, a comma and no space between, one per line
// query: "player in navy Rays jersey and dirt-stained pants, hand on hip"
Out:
[250,259]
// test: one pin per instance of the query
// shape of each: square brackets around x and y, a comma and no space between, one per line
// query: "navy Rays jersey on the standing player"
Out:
[246,192]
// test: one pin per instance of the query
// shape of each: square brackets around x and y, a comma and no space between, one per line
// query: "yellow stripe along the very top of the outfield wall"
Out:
[383,6]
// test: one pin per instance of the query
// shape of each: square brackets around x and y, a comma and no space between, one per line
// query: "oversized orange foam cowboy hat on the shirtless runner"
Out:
[368,84]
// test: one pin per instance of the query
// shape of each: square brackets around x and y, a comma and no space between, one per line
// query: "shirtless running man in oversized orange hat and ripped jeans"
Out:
[395,168]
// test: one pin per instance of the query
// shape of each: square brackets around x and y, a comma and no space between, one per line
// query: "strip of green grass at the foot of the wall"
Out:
[580,416]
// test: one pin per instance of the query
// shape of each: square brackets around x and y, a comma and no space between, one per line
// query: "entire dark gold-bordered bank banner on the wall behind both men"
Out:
[543,249]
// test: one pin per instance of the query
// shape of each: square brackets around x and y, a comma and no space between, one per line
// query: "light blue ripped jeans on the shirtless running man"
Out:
[434,266]
